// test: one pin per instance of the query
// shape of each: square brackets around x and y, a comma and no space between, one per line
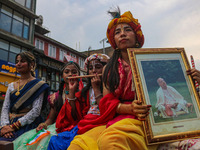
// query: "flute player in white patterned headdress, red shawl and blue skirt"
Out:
[86,103]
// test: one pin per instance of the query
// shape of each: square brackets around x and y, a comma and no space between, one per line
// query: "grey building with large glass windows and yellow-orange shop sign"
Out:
[17,18]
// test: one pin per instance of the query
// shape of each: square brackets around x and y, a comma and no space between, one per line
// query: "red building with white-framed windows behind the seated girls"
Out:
[51,57]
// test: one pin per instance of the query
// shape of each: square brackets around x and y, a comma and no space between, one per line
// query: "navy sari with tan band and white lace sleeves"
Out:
[24,107]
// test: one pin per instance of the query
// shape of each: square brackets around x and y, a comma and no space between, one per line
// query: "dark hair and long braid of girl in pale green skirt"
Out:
[58,103]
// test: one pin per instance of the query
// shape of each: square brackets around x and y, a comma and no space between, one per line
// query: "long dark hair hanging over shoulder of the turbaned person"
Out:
[111,75]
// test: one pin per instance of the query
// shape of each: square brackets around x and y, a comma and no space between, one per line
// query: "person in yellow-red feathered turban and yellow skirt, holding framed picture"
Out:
[120,123]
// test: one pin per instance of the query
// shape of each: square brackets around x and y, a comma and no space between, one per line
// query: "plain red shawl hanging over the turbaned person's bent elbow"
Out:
[108,105]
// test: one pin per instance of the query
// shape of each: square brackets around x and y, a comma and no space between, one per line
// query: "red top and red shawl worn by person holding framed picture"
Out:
[108,104]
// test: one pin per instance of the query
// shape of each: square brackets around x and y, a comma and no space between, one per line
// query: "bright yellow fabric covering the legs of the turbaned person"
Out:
[126,134]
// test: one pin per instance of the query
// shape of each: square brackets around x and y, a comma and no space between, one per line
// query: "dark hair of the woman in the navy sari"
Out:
[30,58]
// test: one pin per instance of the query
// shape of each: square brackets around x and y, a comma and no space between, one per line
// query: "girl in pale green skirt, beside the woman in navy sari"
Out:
[56,100]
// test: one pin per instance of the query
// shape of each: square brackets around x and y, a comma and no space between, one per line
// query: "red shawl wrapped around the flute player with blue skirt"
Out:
[65,121]
